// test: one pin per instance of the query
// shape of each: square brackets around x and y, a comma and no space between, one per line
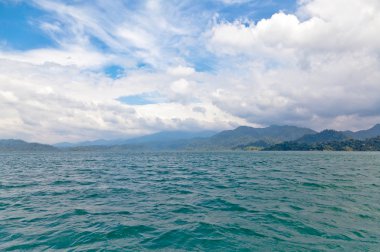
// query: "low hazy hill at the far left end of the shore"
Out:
[19,145]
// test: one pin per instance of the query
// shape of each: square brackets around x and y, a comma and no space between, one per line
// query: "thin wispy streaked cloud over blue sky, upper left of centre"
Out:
[146,34]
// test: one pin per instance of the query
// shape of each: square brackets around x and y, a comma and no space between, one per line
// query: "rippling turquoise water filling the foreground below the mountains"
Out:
[231,201]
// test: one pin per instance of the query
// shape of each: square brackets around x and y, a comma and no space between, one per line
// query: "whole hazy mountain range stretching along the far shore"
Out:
[242,138]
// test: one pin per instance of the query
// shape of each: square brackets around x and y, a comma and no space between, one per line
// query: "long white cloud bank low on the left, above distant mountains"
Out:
[53,103]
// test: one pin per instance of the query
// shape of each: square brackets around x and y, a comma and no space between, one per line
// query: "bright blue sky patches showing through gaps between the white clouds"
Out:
[25,27]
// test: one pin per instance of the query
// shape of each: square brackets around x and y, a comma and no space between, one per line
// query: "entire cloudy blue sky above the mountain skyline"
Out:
[80,70]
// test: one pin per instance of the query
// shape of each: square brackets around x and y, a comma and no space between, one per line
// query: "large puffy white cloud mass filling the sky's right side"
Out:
[312,68]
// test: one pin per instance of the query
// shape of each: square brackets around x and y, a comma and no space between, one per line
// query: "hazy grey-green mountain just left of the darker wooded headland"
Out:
[249,136]
